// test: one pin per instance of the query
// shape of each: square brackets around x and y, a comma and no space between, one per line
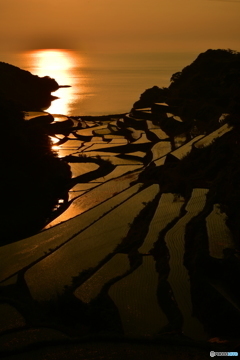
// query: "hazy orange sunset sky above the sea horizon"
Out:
[120,25]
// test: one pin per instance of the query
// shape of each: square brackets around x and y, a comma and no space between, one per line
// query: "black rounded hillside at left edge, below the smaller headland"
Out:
[33,178]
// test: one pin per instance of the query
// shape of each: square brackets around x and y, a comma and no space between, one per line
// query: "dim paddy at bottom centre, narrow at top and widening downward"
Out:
[136,299]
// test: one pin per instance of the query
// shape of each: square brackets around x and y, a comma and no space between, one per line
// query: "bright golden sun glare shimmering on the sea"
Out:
[58,64]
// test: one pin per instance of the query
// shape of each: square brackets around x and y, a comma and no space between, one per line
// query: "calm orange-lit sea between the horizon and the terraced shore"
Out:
[100,83]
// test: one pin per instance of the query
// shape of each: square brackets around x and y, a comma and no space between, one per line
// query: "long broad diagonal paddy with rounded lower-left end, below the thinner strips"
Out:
[86,249]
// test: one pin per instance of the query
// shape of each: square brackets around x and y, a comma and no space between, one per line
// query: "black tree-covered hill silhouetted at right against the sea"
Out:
[203,90]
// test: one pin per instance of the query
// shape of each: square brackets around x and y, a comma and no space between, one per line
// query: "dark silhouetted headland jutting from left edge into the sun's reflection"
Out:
[29,91]
